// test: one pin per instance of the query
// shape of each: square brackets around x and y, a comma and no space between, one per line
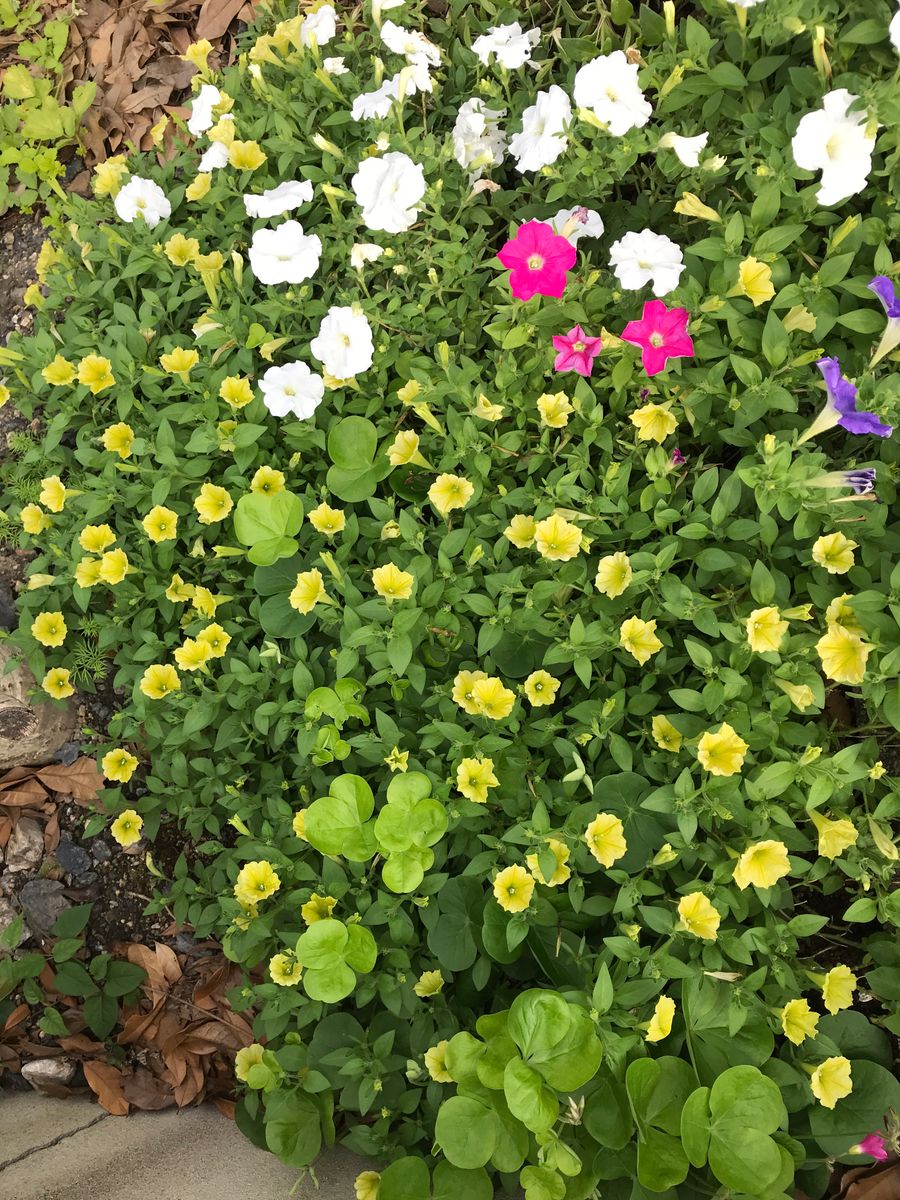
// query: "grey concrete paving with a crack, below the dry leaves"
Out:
[73,1150]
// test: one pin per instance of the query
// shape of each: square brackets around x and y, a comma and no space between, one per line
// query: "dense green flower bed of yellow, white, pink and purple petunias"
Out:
[473,451]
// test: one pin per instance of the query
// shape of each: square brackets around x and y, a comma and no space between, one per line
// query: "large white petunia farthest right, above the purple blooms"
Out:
[836,142]
